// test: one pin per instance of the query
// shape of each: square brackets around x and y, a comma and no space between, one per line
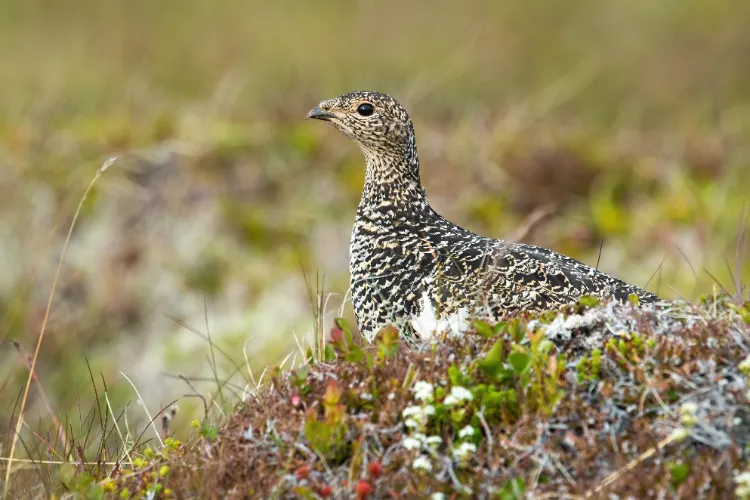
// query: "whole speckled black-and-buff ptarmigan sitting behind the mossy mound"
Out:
[413,269]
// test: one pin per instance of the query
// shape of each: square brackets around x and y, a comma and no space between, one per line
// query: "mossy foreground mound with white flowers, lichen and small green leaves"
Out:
[593,401]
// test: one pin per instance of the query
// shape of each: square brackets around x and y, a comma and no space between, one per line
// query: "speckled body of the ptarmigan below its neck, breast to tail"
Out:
[405,255]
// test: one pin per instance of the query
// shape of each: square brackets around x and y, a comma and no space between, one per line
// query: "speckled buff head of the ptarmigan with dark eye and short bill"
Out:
[377,123]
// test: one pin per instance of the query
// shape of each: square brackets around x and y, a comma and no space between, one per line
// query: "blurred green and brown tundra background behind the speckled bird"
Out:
[629,119]
